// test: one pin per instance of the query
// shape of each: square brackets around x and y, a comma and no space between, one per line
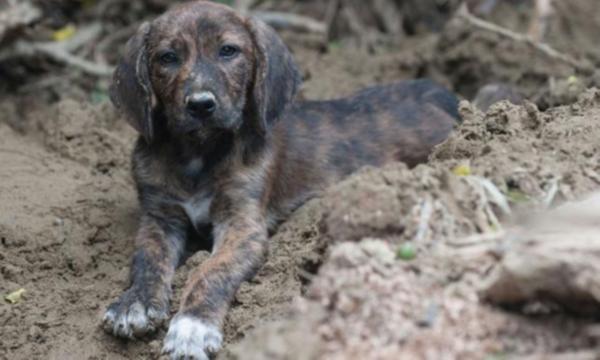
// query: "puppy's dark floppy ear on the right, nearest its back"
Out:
[276,77]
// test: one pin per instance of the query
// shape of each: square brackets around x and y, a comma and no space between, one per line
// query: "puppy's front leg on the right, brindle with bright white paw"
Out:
[240,250]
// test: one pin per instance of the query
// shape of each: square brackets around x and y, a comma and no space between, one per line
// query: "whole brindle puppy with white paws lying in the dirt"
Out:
[223,151]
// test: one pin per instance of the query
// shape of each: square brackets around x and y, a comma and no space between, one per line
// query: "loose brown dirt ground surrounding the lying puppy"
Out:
[334,286]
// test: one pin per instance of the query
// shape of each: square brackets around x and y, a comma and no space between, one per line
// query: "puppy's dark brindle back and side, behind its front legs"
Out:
[323,141]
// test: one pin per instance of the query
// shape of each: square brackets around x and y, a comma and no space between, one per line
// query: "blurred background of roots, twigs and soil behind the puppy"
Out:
[66,49]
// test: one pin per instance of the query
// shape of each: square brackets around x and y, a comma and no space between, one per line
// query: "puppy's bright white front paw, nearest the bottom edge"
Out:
[191,338]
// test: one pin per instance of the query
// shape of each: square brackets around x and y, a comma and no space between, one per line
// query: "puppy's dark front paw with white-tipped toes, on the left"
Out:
[133,315]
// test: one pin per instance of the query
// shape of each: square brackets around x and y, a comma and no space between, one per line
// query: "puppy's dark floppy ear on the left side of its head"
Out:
[131,90]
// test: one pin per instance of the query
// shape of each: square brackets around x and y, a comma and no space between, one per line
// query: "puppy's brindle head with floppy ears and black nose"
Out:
[200,69]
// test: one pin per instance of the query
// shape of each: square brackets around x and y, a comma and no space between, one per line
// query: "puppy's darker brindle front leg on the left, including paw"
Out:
[145,305]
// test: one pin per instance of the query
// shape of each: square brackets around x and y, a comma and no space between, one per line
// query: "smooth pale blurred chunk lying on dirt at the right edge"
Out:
[551,259]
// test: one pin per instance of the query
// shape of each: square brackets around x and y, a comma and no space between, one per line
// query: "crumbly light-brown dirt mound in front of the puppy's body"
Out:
[367,303]
